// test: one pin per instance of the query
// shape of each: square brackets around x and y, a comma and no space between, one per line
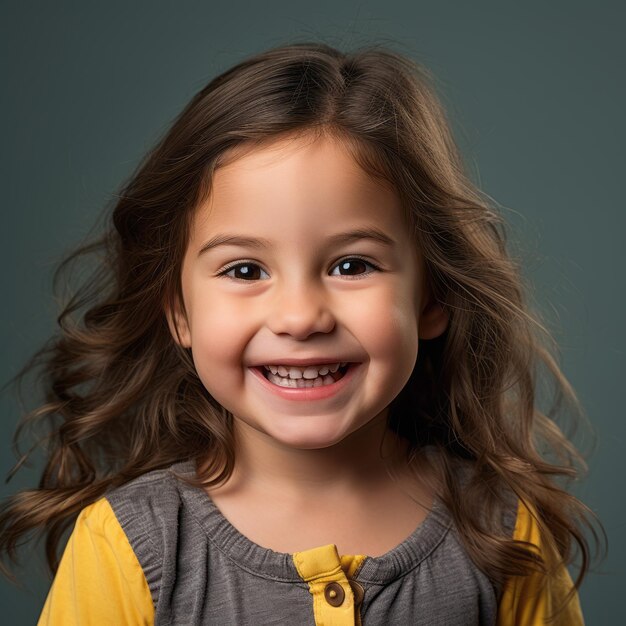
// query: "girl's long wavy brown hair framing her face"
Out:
[122,398]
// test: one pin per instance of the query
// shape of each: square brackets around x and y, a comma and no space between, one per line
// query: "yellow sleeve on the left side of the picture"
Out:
[99,581]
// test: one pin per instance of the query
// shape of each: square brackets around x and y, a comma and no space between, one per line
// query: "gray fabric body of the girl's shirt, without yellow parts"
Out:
[201,570]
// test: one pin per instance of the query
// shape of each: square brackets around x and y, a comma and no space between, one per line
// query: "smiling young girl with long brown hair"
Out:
[300,386]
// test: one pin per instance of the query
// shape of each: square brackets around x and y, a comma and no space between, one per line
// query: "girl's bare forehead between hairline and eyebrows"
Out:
[297,184]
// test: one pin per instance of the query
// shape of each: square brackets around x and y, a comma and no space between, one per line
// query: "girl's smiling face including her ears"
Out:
[300,258]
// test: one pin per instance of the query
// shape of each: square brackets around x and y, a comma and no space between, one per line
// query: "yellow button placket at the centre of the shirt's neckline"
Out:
[321,566]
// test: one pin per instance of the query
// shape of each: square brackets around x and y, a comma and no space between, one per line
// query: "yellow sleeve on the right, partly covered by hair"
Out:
[530,600]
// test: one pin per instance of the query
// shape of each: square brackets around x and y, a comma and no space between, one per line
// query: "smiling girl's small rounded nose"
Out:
[300,310]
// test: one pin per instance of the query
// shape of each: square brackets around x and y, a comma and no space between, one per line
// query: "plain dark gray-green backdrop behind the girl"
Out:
[536,92]
